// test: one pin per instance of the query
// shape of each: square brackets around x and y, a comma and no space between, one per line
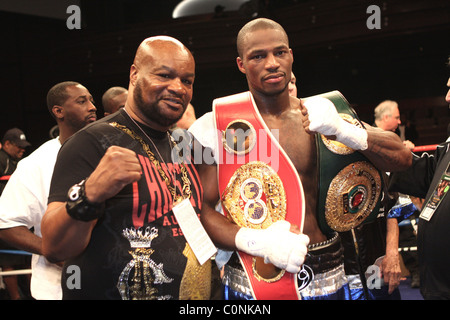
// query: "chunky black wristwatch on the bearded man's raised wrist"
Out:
[79,207]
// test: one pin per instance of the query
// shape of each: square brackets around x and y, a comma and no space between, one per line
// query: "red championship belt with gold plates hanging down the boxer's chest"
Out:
[257,190]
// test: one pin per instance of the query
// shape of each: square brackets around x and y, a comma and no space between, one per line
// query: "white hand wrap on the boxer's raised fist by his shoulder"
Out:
[325,119]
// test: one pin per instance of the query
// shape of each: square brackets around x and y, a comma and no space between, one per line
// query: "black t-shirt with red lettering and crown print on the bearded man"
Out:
[110,262]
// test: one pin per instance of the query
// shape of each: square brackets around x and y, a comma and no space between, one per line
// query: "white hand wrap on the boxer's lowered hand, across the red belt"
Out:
[276,244]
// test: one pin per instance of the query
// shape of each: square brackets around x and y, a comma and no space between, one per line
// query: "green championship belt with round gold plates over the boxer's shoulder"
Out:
[349,185]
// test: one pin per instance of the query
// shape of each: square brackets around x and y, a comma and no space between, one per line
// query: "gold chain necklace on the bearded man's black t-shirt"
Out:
[186,188]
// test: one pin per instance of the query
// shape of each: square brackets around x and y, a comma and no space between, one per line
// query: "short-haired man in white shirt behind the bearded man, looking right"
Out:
[24,199]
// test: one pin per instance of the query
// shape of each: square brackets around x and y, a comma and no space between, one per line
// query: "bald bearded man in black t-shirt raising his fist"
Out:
[111,214]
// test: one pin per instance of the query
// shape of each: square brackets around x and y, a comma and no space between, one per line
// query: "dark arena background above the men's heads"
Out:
[333,49]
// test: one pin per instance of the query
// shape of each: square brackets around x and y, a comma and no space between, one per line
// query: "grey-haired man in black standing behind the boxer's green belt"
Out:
[378,240]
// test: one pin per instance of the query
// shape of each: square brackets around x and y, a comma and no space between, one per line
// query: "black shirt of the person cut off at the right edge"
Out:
[433,238]
